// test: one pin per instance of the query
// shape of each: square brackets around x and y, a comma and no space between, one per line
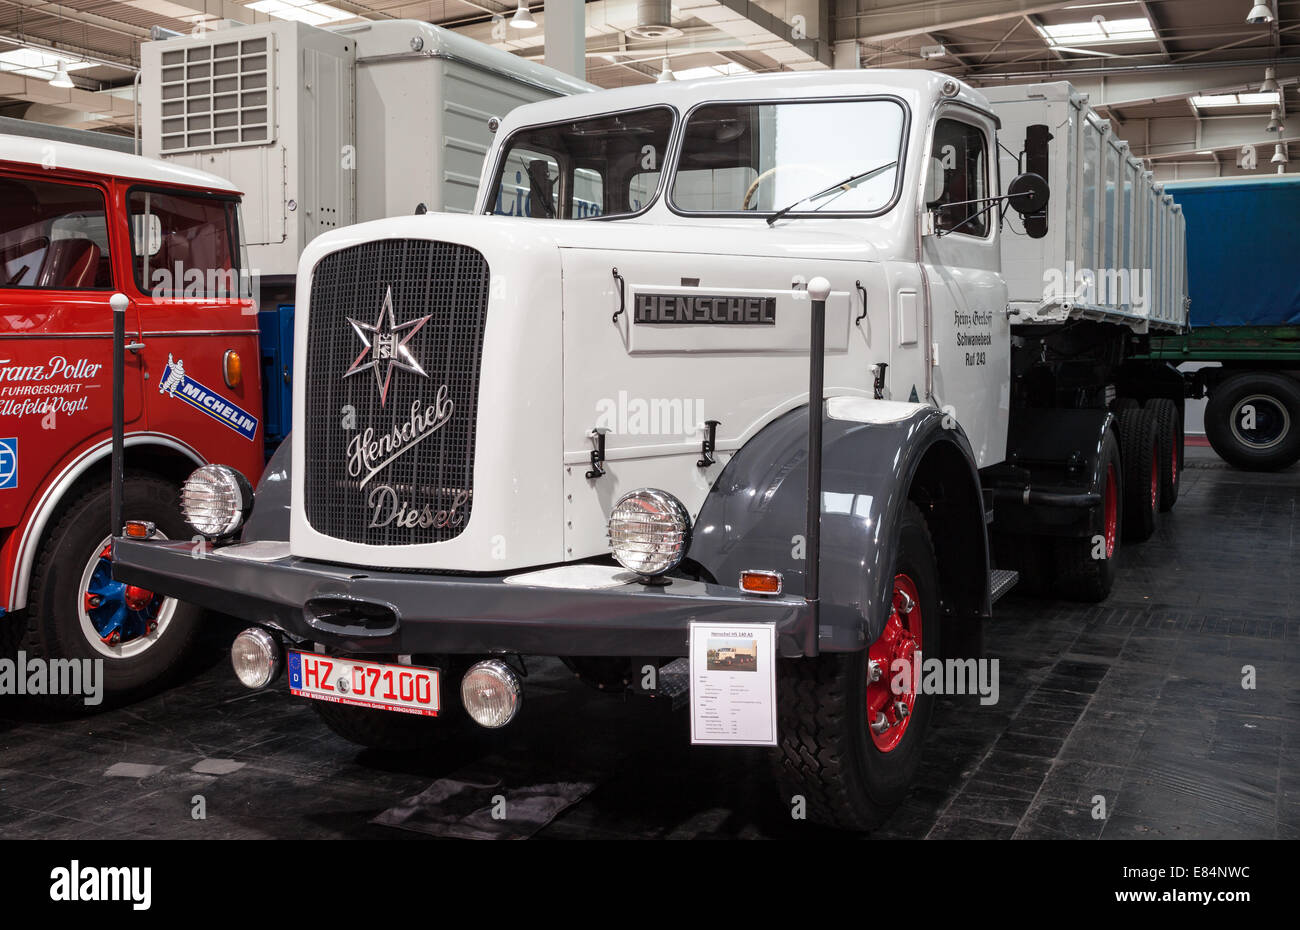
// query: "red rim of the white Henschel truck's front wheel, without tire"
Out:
[889,713]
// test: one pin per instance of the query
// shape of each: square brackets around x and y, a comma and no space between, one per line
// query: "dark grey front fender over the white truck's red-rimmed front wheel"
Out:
[755,518]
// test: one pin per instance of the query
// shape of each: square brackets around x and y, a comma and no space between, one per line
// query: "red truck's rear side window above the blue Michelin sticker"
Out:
[185,245]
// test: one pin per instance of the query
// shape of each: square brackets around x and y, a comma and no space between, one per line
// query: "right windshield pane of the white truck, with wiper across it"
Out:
[764,158]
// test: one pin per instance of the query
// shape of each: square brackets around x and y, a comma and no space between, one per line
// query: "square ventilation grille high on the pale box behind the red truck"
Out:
[218,96]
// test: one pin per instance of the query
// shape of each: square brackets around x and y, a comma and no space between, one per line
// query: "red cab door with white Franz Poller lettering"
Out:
[57,330]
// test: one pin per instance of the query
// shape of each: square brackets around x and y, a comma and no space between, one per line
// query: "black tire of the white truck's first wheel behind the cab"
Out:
[1086,566]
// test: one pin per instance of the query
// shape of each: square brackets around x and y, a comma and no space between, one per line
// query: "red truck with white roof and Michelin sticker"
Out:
[77,227]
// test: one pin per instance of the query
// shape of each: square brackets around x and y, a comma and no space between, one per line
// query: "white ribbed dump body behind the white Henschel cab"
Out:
[1116,243]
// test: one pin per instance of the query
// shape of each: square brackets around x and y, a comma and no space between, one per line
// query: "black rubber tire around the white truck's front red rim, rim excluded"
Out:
[826,752]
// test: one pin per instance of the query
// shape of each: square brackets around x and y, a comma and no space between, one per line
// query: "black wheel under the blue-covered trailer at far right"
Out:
[1253,421]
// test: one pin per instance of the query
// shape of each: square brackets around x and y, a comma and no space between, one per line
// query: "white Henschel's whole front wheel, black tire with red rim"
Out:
[850,747]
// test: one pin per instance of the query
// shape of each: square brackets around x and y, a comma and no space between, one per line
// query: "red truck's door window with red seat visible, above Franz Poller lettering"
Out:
[53,236]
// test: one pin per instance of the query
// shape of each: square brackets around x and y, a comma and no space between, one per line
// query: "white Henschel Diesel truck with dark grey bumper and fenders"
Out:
[579,434]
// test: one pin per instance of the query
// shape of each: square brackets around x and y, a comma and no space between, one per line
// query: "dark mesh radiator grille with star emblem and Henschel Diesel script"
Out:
[395,347]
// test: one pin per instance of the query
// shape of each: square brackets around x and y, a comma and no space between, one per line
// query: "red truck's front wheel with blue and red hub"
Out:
[79,612]
